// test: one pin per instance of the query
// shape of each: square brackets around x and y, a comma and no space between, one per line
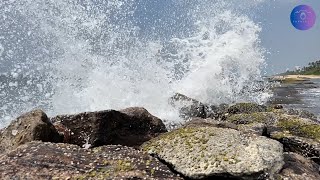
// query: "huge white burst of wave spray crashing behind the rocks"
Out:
[68,56]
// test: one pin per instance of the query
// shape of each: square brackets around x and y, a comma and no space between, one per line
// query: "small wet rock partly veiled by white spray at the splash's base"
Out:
[188,107]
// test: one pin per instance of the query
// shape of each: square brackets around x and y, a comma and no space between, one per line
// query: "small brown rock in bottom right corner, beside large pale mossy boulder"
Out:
[299,168]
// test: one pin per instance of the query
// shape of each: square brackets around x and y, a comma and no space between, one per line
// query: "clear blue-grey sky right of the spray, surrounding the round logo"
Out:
[287,46]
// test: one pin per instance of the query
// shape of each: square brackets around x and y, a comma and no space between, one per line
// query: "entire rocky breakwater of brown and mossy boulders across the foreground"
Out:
[241,141]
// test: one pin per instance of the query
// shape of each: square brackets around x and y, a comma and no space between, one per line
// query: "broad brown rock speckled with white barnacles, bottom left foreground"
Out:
[38,160]
